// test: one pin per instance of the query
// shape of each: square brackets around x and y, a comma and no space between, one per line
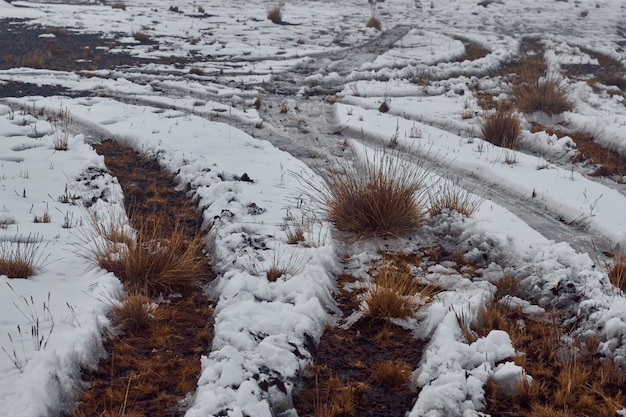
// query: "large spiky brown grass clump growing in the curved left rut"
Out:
[148,264]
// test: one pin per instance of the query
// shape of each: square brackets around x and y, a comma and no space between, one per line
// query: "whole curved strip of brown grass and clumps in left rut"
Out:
[153,358]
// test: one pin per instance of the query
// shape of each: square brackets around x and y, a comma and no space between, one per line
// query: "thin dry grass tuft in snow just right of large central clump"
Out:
[451,196]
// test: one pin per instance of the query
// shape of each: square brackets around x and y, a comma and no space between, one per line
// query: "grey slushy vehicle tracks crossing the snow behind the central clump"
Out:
[307,128]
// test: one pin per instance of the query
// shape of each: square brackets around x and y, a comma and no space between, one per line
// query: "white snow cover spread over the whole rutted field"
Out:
[205,130]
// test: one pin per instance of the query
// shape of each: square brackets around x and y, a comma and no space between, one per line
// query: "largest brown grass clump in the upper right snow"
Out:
[535,91]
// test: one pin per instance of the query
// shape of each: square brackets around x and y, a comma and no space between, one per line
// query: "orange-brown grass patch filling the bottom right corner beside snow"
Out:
[569,378]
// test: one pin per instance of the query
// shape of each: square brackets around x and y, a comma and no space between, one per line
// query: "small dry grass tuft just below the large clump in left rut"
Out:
[135,314]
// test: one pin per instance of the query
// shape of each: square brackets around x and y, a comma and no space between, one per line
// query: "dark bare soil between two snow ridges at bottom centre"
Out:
[351,354]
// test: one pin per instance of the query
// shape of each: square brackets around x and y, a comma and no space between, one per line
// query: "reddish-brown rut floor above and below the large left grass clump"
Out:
[151,367]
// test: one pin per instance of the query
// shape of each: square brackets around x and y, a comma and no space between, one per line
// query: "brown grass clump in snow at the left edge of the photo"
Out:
[18,257]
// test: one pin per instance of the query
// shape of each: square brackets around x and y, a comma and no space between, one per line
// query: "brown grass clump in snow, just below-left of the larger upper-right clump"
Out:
[501,127]
